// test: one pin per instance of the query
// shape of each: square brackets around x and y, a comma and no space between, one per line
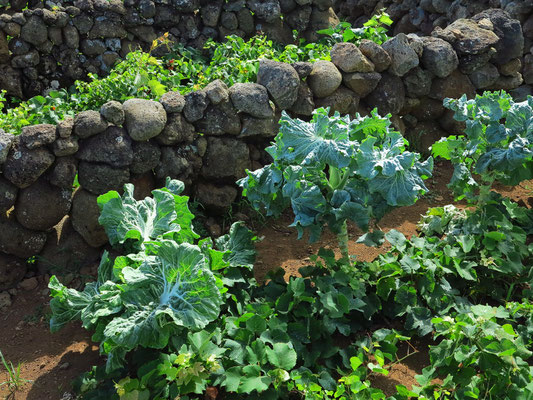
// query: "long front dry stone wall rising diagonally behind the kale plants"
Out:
[209,137]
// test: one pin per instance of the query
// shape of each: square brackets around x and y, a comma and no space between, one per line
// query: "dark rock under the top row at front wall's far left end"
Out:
[24,166]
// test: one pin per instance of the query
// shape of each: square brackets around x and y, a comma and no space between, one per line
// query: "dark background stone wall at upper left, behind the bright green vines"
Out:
[55,45]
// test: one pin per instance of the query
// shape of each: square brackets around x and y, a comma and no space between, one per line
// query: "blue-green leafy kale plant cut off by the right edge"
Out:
[497,145]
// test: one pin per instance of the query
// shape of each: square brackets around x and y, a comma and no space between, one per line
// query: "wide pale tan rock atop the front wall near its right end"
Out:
[467,37]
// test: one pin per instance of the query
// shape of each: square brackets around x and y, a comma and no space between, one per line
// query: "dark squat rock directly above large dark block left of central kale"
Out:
[219,120]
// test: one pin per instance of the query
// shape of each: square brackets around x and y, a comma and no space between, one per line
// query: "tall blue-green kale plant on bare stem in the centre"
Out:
[334,169]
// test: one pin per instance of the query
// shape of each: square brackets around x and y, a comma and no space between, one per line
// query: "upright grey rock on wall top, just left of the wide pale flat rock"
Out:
[439,57]
